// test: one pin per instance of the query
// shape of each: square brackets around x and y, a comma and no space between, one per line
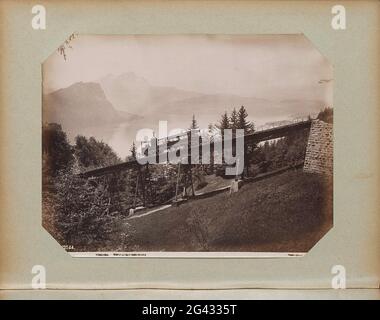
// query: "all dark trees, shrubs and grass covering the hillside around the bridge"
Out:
[287,212]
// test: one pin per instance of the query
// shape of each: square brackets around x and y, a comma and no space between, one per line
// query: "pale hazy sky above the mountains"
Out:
[274,67]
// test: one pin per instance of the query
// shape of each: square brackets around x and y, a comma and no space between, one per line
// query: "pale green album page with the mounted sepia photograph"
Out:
[189,145]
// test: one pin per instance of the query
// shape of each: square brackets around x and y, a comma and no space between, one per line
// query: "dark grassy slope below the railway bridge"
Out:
[289,212]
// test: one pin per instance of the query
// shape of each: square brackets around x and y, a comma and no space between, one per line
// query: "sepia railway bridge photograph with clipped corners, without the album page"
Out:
[187,145]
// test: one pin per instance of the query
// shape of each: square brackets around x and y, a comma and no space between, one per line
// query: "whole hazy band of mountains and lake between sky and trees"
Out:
[99,108]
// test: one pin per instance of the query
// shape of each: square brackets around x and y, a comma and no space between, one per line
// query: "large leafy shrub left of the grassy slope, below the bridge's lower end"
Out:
[82,214]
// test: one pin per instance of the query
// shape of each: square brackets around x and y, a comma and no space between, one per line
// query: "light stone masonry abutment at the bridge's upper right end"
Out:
[319,150]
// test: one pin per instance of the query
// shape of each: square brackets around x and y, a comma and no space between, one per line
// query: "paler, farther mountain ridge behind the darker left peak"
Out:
[134,94]
